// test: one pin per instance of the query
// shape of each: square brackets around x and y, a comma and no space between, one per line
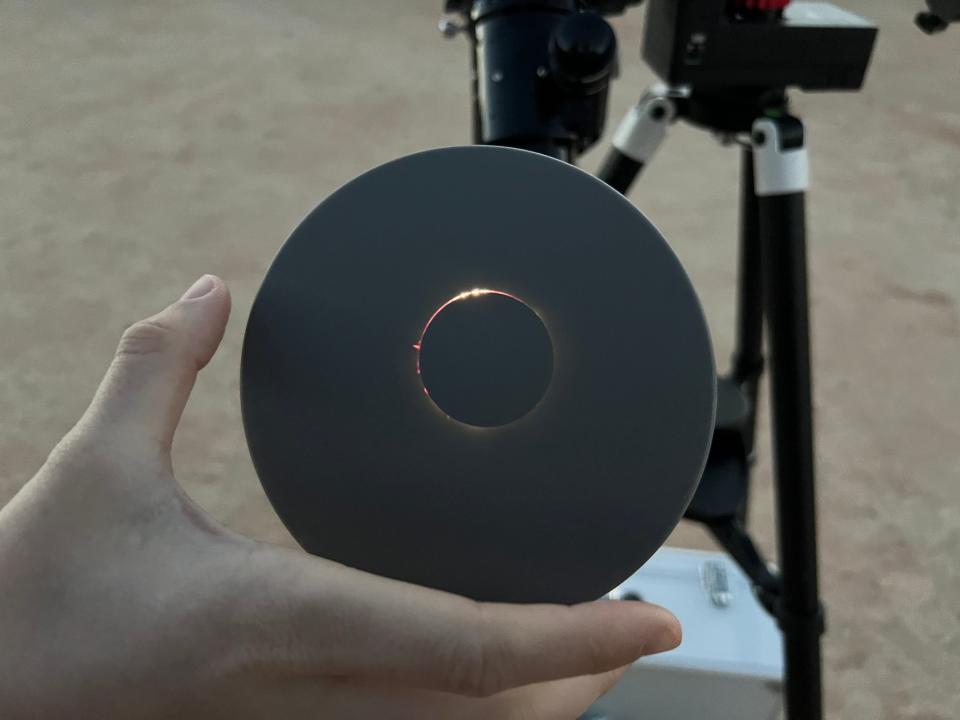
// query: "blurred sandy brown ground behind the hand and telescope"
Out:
[143,144]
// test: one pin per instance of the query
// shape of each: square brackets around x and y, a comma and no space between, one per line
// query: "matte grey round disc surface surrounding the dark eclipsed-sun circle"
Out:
[363,468]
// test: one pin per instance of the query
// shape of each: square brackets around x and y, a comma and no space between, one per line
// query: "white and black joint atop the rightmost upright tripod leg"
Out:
[780,156]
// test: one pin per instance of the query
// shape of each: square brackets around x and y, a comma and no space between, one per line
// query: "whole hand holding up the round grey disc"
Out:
[122,599]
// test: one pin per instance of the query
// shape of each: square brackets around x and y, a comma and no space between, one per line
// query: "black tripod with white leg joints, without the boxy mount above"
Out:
[772,292]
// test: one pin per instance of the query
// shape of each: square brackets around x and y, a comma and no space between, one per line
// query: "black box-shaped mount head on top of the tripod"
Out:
[707,44]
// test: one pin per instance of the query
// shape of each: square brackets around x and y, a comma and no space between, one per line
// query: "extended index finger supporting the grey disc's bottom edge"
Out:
[316,617]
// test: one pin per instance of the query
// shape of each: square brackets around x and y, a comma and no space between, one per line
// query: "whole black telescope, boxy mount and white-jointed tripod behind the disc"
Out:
[541,71]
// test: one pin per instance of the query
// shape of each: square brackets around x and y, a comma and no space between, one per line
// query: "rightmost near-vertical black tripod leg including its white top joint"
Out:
[781,179]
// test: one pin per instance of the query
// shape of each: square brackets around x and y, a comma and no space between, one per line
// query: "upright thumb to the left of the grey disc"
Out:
[147,385]
